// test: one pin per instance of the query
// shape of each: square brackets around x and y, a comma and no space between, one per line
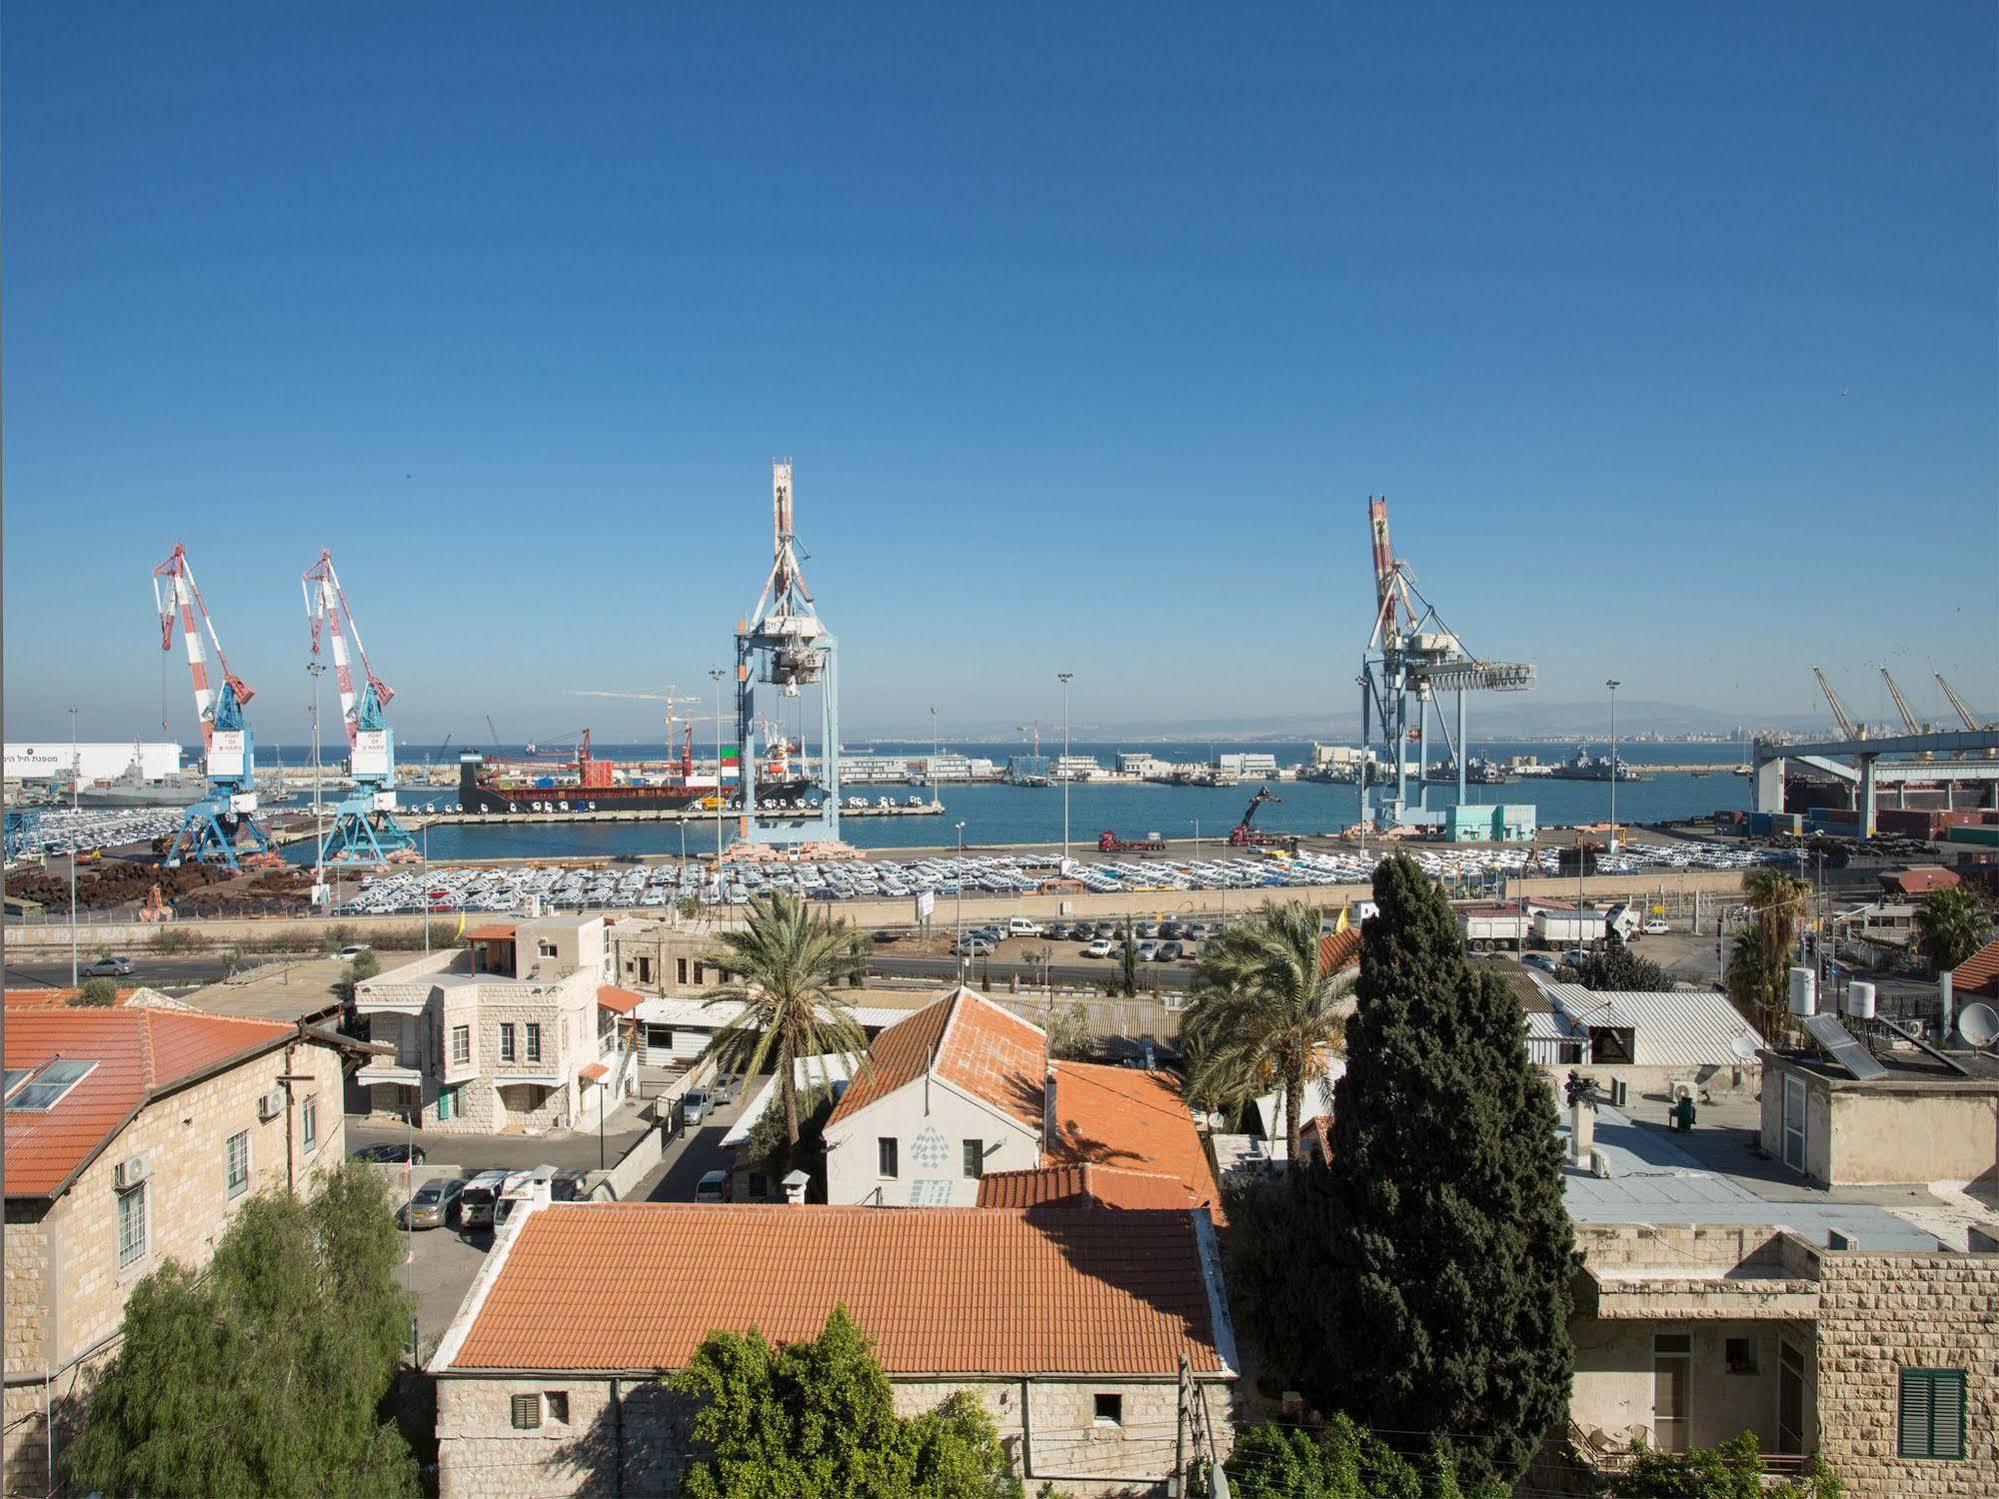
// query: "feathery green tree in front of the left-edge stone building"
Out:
[267,1374]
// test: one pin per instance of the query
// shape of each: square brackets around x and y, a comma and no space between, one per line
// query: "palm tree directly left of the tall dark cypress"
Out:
[1264,1016]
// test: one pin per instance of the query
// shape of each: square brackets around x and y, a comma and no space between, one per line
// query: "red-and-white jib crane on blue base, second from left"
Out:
[365,820]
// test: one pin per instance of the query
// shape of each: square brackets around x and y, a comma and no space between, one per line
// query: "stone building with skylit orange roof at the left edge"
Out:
[133,1134]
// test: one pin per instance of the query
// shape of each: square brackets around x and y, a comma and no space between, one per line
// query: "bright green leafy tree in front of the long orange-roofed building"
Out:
[817,1420]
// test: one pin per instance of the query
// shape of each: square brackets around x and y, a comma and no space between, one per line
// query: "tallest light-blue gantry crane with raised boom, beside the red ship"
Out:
[785,647]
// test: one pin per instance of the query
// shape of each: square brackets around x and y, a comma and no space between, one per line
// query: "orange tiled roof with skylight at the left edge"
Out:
[139,1054]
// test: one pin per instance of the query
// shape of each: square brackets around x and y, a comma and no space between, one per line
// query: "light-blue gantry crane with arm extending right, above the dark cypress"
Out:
[1414,657]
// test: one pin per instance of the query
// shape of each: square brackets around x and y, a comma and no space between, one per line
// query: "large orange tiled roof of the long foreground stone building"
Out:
[943,1292]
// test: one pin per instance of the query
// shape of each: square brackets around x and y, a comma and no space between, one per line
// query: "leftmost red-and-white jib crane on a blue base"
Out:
[217,826]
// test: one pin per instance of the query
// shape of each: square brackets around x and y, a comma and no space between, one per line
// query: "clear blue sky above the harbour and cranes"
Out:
[1668,331]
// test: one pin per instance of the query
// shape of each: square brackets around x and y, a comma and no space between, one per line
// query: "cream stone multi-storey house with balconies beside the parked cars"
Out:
[513,1034]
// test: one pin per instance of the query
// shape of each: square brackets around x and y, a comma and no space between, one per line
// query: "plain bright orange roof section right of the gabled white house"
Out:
[1130,1118]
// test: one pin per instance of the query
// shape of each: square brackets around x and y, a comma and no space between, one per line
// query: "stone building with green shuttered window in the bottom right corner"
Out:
[1882,1362]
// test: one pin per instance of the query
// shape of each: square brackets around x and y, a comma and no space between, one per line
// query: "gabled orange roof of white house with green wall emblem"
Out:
[973,1044]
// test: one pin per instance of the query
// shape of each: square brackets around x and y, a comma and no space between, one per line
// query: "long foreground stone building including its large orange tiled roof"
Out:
[1066,1322]
